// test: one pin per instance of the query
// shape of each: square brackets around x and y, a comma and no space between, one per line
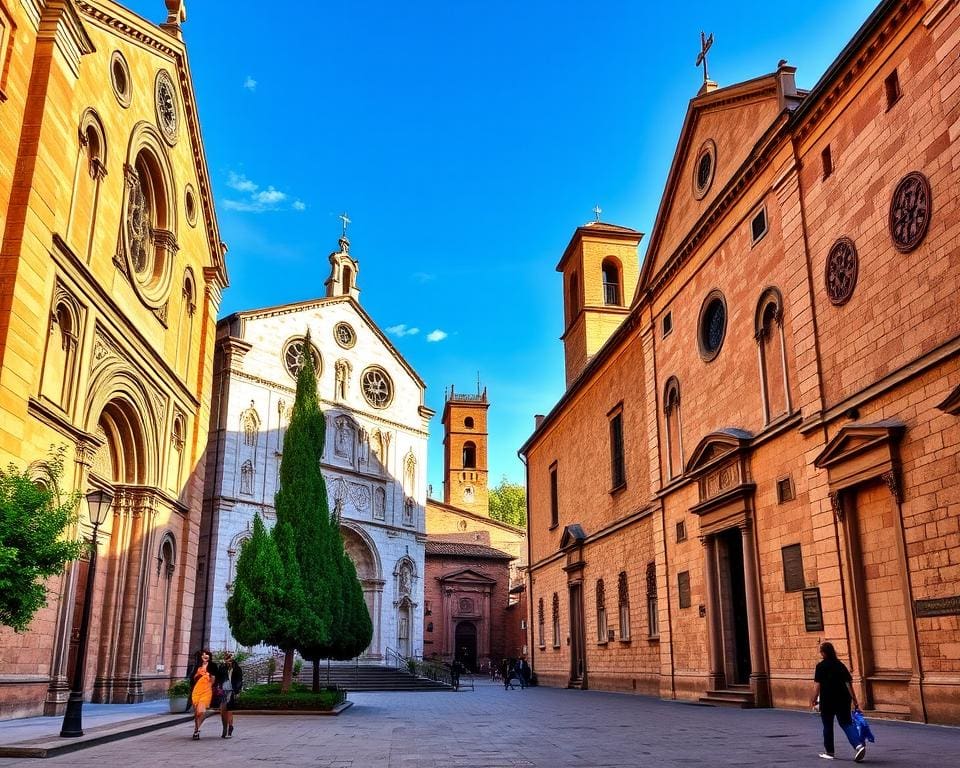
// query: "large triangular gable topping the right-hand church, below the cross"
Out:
[732,124]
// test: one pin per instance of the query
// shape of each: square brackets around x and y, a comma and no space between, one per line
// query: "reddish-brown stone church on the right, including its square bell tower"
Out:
[757,448]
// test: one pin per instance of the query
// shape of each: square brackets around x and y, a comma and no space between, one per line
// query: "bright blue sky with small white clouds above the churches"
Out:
[466,141]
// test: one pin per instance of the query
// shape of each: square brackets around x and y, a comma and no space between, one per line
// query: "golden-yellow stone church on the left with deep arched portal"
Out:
[111,273]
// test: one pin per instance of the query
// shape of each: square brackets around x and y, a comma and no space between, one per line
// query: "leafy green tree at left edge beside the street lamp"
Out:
[33,521]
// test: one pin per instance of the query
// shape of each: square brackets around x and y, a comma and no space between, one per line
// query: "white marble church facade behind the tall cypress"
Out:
[375,453]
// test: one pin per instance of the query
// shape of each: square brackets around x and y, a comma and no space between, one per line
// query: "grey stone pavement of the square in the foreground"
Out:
[537,727]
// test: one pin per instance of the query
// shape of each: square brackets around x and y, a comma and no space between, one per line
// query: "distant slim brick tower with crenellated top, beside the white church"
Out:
[465,480]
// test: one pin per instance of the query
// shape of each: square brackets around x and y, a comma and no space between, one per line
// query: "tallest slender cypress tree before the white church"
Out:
[301,504]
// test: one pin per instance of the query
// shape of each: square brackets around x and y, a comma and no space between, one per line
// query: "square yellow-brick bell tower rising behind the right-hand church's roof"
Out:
[600,273]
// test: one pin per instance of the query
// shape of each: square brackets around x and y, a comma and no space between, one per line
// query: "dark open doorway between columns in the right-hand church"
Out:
[733,602]
